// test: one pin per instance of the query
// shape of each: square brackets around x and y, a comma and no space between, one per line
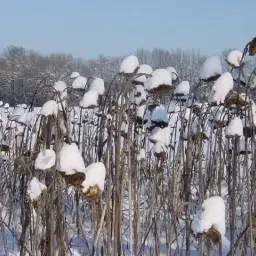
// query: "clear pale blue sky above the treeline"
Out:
[115,27]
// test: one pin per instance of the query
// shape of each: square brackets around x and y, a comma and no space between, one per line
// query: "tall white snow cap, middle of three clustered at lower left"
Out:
[70,159]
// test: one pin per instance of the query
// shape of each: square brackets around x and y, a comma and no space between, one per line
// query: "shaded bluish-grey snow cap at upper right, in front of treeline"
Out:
[210,68]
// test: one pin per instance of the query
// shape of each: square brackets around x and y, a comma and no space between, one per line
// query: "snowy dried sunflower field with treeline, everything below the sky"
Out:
[151,153]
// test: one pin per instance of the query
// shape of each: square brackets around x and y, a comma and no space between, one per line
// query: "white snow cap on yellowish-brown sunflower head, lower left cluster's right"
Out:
[94,175]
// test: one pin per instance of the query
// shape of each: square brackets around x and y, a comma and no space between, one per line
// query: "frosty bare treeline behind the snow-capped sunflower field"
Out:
[22,71]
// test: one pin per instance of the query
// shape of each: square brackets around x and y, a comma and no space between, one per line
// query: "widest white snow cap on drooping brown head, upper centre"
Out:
[159,77]
